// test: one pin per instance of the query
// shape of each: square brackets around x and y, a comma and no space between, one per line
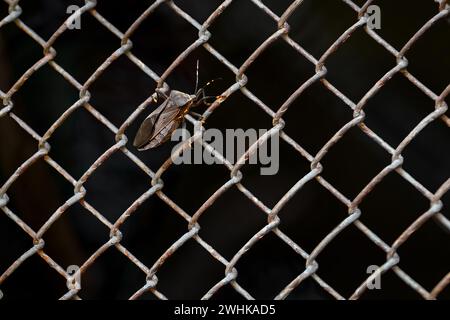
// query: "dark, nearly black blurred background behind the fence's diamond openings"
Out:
[233,219]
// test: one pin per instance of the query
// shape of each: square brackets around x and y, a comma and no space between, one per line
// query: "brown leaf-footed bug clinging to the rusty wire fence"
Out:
[157,128]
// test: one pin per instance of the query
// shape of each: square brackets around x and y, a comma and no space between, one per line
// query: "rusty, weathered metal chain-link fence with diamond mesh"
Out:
[280,117]
